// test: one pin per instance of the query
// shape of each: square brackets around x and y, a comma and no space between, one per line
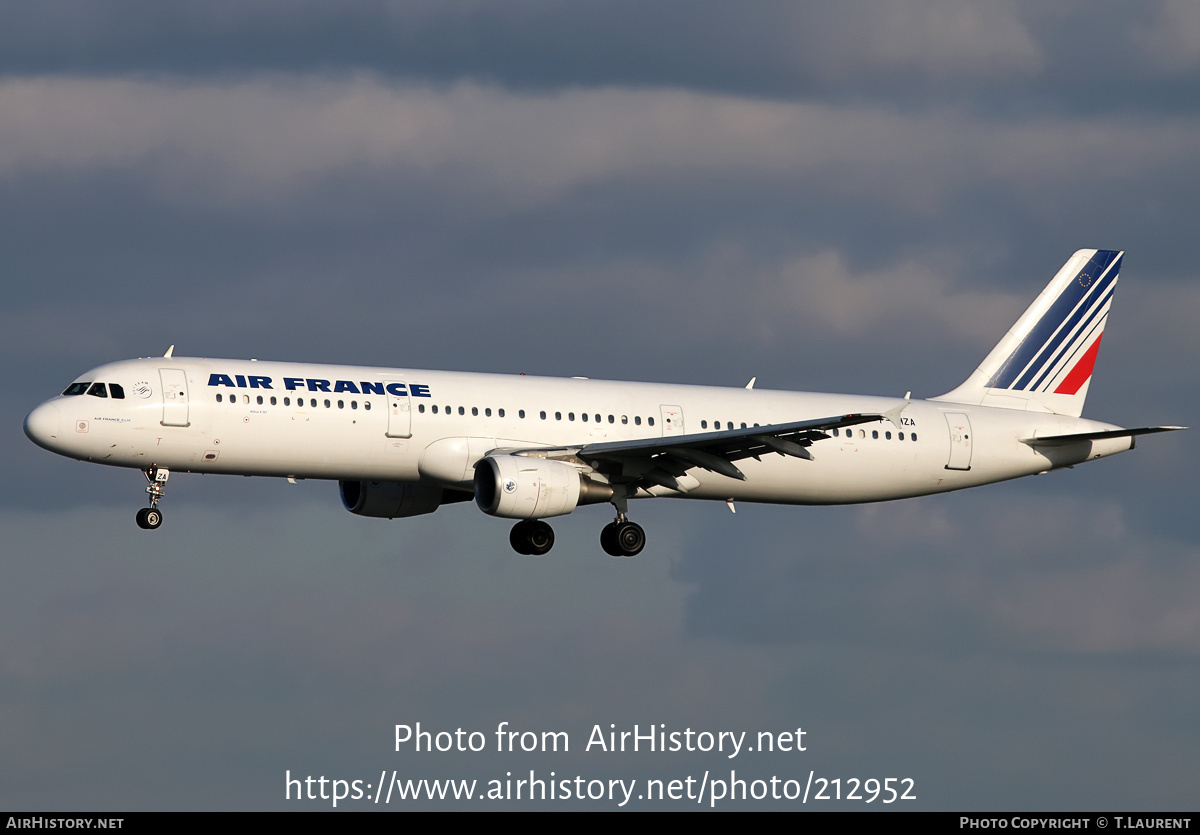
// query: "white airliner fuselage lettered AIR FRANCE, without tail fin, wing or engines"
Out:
[346,423]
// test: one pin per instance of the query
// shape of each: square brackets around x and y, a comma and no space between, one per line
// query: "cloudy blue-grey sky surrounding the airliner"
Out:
[850,197]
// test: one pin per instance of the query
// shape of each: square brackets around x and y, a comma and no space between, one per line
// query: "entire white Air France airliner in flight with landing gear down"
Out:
[404,442]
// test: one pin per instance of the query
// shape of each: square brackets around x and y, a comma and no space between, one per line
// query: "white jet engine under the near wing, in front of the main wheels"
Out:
[527,489]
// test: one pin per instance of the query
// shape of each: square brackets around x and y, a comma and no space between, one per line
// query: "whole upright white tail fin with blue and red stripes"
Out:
[1045,363]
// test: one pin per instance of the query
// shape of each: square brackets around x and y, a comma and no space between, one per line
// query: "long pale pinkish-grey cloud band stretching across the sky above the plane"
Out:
[251,146]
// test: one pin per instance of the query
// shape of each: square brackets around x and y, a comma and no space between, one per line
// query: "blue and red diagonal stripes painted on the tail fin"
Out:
[1070,329]
